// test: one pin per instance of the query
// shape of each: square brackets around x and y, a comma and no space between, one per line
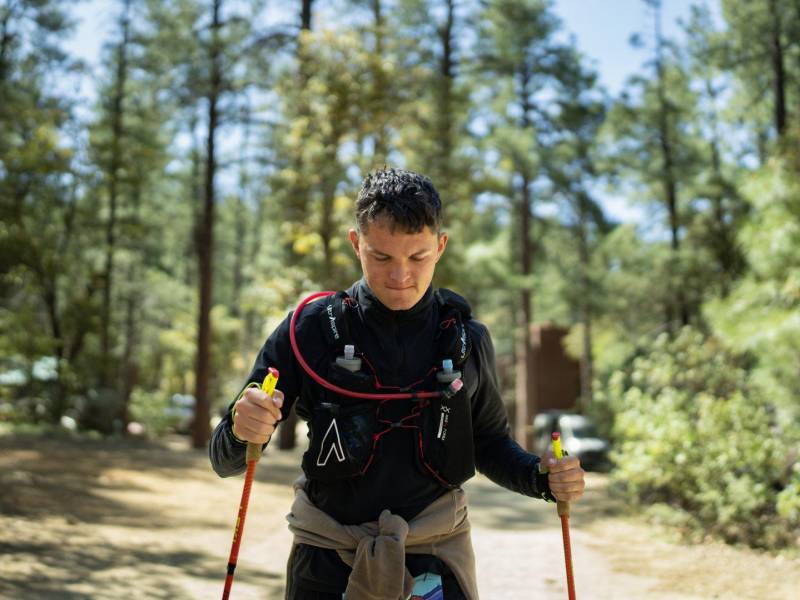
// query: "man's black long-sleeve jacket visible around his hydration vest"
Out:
[400,347]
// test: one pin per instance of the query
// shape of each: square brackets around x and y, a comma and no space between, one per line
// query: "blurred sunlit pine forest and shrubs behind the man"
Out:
[150,241]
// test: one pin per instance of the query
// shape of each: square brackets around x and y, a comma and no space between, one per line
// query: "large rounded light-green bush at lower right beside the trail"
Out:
[694,433]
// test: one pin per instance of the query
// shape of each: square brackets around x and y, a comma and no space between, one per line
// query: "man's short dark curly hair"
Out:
[406,200]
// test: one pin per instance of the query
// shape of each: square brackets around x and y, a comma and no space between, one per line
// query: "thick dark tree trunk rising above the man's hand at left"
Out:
[201,431]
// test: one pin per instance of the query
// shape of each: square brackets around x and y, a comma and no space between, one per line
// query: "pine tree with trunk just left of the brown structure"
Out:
[517,49]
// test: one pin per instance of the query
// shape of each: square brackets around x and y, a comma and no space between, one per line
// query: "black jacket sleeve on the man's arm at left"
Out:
[227,454]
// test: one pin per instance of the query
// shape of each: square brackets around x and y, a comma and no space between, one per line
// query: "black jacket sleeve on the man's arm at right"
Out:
[497,455]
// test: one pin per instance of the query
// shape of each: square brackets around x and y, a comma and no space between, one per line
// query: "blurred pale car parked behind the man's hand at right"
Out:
[579,438]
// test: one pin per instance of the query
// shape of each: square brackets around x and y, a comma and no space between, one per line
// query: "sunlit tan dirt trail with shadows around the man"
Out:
[98,519]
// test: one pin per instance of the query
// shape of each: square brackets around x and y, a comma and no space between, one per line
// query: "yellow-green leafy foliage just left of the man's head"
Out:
[323,110]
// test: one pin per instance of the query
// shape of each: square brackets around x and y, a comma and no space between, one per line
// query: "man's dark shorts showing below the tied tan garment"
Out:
[318,574]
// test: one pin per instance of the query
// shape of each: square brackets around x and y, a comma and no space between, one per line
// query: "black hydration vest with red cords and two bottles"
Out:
[345,433]
